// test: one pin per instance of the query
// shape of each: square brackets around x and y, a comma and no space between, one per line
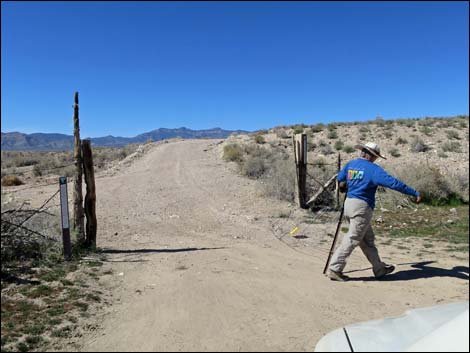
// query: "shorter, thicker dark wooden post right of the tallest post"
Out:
[90,196]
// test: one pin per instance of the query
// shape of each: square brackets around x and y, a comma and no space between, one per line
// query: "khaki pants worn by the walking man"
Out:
[359,214]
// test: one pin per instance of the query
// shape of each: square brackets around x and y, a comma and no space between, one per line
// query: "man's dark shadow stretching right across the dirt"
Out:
[420,270]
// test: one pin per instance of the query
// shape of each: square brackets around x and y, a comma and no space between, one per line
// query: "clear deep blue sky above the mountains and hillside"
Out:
[139,66]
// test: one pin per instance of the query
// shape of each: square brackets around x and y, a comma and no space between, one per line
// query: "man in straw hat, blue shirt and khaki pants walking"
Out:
[362,178]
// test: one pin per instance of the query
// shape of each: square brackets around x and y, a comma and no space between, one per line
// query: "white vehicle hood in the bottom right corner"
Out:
[438,328]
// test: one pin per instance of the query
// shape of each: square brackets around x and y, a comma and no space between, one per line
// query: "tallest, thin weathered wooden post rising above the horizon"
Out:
[77,182]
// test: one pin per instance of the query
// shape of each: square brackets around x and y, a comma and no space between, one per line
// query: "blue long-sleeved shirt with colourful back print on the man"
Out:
[363,177]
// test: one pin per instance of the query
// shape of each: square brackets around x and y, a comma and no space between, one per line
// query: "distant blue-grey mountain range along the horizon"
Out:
[49,142]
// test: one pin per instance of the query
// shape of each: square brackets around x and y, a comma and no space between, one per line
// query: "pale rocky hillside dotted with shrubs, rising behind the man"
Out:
[431,154]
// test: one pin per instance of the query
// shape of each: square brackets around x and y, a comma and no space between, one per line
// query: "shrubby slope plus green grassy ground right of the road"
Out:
[418,152]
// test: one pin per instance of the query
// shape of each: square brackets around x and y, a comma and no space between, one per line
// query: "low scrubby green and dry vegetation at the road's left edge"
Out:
[44,298]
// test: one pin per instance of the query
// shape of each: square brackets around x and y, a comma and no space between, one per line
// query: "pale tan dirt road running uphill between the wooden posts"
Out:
[196,265]
